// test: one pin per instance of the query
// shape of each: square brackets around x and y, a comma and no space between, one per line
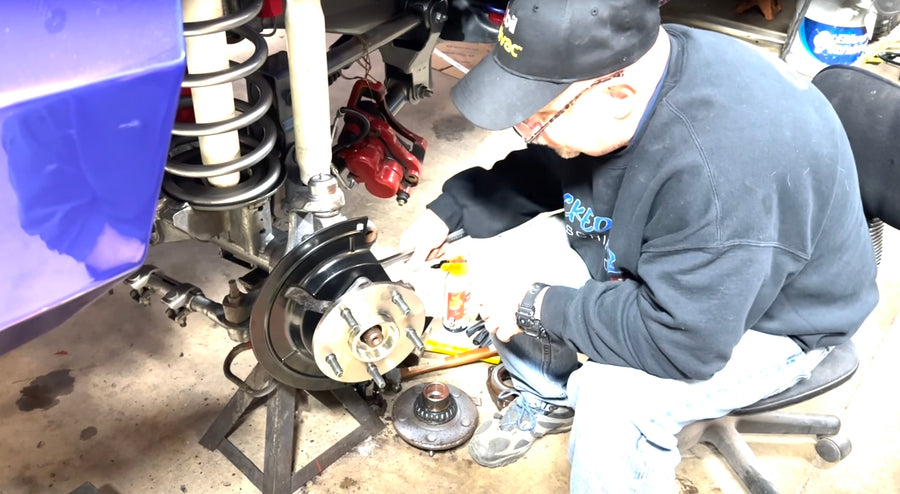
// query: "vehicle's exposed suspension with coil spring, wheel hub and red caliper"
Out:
[264,177]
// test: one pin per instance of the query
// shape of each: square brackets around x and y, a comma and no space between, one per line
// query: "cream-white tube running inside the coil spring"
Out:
[205,54]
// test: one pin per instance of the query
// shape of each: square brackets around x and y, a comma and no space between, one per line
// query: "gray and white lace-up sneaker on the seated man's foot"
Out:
[508,436]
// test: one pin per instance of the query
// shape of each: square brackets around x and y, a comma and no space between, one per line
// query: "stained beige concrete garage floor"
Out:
[127,394]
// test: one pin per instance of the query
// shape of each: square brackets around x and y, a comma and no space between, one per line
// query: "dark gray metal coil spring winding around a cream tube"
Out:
[262,172]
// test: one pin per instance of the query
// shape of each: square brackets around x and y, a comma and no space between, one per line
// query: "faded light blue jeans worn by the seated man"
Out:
[623,439]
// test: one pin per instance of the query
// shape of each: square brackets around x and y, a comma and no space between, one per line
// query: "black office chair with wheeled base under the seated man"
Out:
[869,107]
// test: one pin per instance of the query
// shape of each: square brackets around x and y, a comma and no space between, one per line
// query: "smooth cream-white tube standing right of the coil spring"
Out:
[306,47]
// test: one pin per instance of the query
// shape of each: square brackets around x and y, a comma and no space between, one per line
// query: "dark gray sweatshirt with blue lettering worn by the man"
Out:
[735,207]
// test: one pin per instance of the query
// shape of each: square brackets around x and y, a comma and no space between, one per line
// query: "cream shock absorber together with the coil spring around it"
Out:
[234,168]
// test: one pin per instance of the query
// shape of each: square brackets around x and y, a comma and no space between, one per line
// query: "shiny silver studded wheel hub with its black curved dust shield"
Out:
[329,314]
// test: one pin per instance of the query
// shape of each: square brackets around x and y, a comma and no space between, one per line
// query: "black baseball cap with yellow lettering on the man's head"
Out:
[545,45]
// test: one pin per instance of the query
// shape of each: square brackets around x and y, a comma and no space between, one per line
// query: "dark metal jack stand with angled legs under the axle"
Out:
[277,476]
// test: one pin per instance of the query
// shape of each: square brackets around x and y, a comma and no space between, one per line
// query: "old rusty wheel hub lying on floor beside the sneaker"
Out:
[434,416]
